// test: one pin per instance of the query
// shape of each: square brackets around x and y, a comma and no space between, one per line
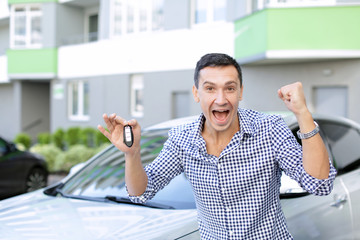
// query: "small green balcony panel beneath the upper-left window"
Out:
[32,61]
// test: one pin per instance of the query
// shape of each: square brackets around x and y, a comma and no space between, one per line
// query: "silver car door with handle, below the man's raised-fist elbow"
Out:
[320,217]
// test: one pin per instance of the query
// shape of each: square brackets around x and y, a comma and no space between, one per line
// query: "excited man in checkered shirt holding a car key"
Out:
[233,157]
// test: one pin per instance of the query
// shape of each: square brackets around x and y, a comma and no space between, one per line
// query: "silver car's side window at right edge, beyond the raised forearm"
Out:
[344,143]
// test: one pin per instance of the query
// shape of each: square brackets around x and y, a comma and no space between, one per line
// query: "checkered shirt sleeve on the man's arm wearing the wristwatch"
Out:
[289,157]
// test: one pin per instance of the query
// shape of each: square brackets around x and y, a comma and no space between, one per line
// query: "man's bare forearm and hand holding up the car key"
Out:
[135,176]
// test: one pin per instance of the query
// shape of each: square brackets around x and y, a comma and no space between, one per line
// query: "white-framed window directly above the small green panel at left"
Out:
[26,26]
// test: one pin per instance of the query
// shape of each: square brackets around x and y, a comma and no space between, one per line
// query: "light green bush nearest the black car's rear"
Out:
[50,152]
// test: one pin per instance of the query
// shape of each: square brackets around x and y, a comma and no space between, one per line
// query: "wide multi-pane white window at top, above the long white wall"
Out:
[134,16]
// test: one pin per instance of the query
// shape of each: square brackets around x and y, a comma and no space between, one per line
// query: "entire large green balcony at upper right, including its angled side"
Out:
[311,28]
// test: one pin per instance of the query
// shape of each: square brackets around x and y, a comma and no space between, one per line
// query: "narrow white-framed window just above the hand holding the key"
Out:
[137,96]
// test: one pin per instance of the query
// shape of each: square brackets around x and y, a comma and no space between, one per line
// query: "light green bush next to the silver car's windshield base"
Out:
[75,154]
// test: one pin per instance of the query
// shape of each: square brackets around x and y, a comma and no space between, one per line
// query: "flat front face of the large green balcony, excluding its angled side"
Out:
[335,28]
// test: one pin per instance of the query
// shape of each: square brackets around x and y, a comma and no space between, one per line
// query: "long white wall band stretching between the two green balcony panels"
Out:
[163,51]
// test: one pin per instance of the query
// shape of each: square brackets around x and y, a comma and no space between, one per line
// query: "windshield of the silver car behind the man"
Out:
[104,176]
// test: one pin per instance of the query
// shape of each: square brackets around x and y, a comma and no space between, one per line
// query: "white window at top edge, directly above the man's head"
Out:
[207,11]
